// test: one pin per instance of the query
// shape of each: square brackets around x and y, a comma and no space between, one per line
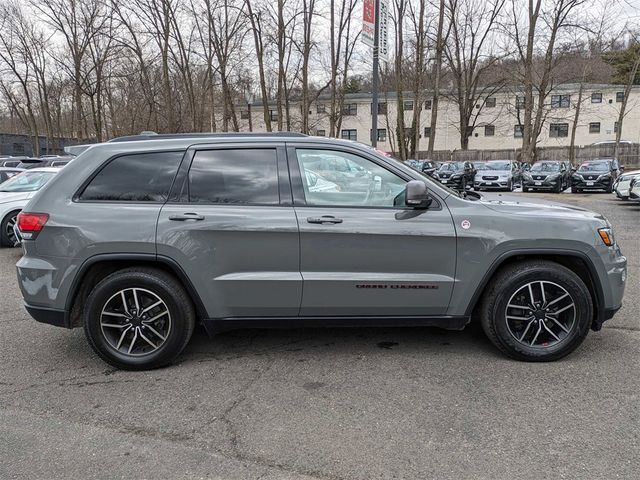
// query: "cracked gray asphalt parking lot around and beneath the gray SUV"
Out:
[413,403]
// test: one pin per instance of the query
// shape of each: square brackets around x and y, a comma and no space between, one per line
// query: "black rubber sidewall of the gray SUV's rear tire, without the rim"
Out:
[110,286]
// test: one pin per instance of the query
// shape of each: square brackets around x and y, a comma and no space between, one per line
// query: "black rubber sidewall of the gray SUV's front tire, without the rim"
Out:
[583,306]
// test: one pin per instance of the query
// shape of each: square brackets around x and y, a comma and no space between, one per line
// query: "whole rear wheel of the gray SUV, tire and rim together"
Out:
[168,334]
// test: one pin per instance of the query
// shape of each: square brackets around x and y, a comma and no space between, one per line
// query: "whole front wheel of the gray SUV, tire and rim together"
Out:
[510,287]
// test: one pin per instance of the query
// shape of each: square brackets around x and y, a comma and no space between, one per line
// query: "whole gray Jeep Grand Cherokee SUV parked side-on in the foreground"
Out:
[138,240]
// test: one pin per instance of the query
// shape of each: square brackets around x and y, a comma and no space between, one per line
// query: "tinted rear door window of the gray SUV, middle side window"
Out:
[234,177]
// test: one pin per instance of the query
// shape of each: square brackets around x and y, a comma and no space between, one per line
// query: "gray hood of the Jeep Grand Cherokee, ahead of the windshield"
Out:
[517,206]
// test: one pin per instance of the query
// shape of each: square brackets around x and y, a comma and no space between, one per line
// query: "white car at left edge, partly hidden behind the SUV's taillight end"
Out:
[15,193]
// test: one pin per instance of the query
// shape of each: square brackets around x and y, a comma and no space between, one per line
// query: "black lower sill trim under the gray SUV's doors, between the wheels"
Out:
[214,326]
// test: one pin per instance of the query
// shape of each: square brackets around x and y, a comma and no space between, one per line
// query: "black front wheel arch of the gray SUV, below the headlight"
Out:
[578,262]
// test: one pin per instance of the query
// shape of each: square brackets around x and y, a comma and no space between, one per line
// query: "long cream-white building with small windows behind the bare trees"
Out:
[495,128]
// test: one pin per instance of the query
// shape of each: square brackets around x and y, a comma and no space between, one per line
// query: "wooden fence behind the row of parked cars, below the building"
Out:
[629,155]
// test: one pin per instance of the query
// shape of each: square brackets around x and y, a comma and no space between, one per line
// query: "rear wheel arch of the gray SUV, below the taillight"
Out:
[96,268]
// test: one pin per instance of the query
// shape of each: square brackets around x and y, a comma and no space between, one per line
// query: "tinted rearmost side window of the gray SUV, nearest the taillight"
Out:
[135,178]
